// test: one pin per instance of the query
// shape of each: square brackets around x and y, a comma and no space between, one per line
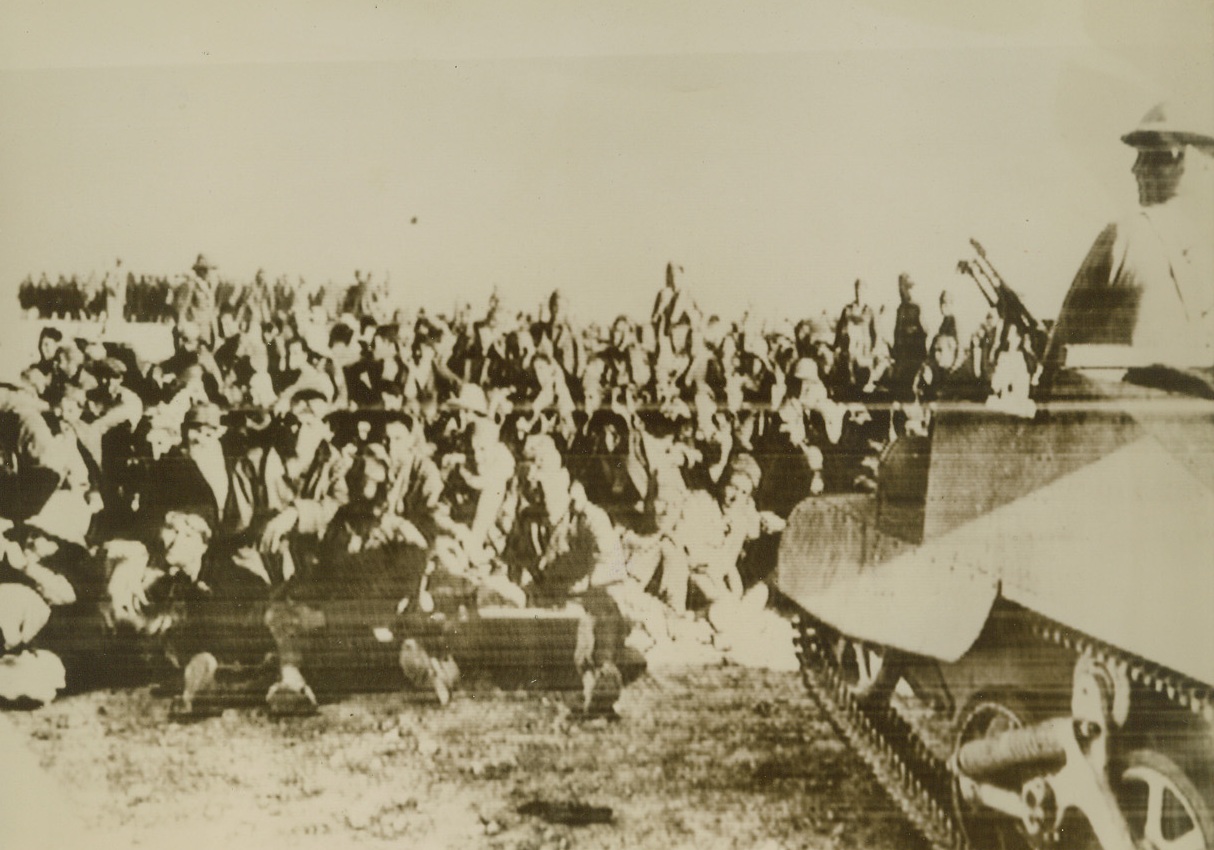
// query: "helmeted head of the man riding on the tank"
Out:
[1171,141]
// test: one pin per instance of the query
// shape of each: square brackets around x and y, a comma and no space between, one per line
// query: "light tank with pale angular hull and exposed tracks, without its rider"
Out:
[1017,631]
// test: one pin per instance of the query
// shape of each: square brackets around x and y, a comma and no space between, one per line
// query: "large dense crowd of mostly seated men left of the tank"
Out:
[294,466]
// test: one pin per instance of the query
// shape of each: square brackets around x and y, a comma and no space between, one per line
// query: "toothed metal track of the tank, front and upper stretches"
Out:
[910,761]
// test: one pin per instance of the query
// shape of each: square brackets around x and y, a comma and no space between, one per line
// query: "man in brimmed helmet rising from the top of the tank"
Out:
[1149,280]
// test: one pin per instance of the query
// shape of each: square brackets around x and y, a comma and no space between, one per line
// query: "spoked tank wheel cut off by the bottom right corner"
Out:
[1165,809]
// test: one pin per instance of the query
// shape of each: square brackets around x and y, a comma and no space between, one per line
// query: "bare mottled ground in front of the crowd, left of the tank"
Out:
[705,756]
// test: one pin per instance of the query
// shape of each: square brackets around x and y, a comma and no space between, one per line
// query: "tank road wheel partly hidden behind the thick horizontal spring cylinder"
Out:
[988,830]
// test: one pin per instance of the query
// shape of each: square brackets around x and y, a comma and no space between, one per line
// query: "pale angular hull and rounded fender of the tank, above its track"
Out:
[1109,535]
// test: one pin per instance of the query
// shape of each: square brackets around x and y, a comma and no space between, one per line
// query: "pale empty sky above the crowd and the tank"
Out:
[778,151]
